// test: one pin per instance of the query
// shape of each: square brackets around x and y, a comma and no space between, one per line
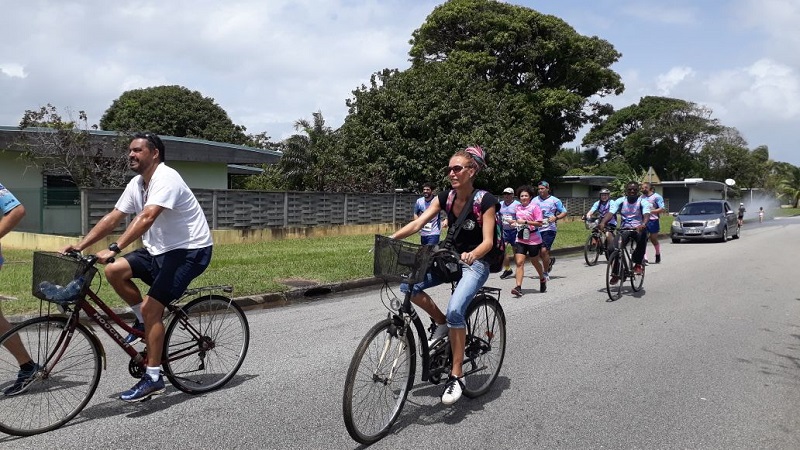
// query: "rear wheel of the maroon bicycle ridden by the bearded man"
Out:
[205,344]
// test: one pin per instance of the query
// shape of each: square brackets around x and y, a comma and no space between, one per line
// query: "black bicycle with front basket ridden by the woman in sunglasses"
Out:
[382,370]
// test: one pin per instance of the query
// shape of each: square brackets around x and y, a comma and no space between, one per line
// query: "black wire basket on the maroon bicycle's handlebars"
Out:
[59,270]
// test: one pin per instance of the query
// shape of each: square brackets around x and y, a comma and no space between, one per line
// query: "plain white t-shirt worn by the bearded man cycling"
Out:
[181,225]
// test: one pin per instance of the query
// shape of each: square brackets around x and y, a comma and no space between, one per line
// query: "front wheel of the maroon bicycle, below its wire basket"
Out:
[66,376]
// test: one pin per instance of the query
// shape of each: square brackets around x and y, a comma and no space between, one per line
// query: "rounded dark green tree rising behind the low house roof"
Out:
[172,111]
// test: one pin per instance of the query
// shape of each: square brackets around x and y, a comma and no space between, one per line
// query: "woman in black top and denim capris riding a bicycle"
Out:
[473,242]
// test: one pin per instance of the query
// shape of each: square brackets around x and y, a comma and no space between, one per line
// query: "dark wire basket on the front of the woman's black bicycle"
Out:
[402,261]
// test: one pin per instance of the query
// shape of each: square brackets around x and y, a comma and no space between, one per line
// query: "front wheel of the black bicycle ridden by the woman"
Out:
[379,378]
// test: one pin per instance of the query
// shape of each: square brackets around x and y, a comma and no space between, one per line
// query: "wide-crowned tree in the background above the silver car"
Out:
[665,133]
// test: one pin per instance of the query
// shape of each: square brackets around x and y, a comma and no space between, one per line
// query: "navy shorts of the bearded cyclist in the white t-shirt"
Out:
[170,273]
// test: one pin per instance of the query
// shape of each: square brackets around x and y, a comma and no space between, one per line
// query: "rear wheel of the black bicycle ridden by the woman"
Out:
[485,345]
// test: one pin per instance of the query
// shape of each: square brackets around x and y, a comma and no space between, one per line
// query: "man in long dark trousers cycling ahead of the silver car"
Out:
[634,212]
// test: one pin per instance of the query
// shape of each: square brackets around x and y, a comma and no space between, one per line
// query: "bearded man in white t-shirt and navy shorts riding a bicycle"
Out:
[177,249]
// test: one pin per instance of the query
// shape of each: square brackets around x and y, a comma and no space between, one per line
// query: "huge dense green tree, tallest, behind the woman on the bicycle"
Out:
[502,76]
